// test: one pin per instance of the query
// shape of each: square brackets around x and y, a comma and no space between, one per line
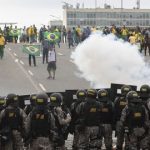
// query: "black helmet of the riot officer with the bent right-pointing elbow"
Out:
[56,99]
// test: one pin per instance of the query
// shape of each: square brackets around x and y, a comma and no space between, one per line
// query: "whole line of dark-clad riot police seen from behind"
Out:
[45,125]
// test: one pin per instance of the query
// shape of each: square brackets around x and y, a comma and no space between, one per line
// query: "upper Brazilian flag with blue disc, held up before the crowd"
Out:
[52,37]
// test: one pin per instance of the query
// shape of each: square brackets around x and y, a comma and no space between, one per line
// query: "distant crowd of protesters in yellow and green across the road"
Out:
[73,36]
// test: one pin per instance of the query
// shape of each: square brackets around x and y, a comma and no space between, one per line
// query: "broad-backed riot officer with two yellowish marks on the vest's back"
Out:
[41,124]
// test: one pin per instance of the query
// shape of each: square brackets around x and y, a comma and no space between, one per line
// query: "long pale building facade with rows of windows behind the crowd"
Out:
[101,17]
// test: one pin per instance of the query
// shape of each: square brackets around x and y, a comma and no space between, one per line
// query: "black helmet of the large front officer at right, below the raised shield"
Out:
[133,97]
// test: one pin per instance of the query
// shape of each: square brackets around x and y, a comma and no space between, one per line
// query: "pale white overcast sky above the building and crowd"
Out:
[27,12]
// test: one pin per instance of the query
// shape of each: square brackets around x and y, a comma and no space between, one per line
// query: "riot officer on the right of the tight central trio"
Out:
[106,115]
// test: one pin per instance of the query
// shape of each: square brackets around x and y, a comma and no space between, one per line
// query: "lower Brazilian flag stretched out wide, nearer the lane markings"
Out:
[33,49]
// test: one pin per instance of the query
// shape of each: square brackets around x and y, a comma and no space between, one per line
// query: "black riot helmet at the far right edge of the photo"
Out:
[145,91]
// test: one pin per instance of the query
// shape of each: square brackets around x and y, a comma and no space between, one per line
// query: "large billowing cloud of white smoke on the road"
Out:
[103,60]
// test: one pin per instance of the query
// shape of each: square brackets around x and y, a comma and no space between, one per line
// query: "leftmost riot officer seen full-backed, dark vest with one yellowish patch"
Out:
[12,124]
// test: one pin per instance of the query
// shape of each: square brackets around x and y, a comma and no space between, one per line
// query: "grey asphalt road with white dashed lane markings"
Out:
[18,77]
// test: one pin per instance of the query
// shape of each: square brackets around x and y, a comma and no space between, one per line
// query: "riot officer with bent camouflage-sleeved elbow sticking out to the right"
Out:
[62,119]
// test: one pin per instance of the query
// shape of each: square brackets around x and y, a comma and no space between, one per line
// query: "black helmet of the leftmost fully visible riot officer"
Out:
[12,99]
